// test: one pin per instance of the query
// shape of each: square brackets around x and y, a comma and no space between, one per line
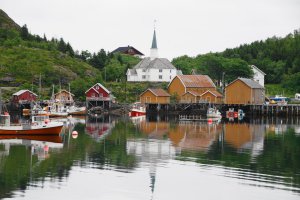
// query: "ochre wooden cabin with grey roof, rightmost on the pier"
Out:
[244,91]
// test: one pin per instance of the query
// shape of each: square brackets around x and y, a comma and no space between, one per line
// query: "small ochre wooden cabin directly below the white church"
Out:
[155,96]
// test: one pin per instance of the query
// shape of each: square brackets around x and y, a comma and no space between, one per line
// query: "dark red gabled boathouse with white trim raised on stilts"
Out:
[98,96]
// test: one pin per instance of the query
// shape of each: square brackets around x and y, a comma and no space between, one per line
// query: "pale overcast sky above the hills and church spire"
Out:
[183,27]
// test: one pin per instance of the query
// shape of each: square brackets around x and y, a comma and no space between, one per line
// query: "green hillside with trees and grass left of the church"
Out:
[26,58]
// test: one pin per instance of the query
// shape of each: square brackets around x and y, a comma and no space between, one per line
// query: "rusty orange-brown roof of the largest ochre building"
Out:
[196,81]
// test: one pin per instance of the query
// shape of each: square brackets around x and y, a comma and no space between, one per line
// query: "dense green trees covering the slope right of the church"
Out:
[278,57]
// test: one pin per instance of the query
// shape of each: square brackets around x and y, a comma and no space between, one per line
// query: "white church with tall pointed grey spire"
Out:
[153,68]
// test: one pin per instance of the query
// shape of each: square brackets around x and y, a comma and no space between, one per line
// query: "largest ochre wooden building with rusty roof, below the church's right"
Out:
[181,84]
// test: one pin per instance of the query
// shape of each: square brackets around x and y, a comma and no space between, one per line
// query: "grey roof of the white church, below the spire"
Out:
[157,63]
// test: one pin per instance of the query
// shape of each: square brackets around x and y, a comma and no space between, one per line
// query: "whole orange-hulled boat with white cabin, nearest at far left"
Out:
[39,125]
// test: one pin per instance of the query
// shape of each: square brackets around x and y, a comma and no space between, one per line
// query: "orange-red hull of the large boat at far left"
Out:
[47,130]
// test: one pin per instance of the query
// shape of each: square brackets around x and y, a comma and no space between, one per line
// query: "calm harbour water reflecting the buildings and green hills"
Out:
[159,158]
